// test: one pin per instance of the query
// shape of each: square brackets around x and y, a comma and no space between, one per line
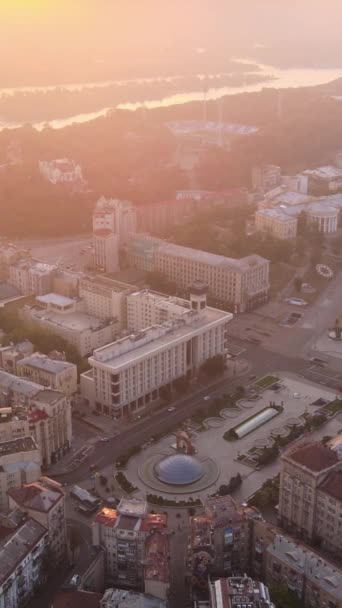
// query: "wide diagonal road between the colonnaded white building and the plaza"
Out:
[104,454]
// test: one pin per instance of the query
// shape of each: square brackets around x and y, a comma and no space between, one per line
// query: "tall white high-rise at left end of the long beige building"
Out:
[116,216]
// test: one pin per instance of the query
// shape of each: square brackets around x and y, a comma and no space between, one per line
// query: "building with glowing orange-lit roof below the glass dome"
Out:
[123,533]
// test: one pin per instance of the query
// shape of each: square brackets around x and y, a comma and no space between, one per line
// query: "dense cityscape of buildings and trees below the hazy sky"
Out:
[171,346]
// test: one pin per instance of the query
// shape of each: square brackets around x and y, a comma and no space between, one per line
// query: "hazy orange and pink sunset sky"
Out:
[68,39]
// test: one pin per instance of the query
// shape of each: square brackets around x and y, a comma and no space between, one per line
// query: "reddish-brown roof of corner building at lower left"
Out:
[36,496]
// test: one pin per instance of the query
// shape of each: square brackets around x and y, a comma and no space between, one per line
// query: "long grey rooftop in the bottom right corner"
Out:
[304,561]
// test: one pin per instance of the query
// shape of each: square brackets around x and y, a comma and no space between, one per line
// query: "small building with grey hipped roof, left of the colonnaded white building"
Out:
[58,375]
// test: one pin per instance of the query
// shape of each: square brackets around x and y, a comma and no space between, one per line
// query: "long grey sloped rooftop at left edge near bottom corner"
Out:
[14,550]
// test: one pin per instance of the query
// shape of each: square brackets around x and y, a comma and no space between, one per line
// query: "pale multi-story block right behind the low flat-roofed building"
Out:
[105,298]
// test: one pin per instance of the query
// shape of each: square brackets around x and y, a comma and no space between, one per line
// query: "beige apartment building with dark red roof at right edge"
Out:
[310,500]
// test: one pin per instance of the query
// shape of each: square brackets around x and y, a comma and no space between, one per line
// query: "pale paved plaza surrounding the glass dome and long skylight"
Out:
[297,397]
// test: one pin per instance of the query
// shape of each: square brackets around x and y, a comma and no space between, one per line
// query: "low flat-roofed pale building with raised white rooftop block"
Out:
[62,316]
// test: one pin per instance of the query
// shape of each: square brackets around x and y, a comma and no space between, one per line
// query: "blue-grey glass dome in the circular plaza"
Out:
[178,469]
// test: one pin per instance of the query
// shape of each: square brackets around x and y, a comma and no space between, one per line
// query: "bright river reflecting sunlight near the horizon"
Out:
[279,78]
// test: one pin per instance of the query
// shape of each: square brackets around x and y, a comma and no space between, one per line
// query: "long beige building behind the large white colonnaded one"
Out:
[235,284]
